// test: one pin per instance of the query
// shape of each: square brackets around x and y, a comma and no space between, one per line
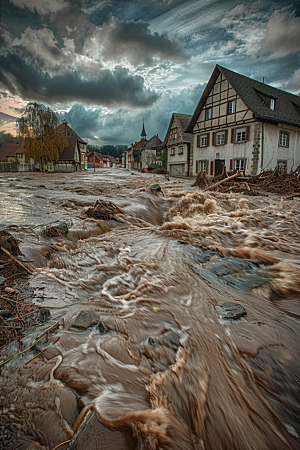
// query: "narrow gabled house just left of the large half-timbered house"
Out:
[177,142]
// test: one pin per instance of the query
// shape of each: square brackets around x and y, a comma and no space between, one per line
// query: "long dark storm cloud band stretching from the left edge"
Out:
[109,88]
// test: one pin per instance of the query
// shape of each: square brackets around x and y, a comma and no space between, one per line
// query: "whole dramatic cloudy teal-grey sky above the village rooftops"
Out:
[105,65]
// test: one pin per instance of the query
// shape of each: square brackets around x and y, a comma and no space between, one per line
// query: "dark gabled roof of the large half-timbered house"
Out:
[287,105]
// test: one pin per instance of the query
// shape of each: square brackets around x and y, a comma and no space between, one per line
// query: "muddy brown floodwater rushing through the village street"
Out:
[158,368]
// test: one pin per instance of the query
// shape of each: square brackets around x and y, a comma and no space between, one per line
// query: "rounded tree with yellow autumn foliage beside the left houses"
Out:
[43,139]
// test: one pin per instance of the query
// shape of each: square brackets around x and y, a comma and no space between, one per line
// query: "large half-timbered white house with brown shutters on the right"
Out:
[245,125]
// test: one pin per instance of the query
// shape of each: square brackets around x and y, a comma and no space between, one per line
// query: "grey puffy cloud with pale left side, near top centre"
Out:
[117,39]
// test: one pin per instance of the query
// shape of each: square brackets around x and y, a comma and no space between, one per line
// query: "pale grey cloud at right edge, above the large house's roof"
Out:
[282,34]
